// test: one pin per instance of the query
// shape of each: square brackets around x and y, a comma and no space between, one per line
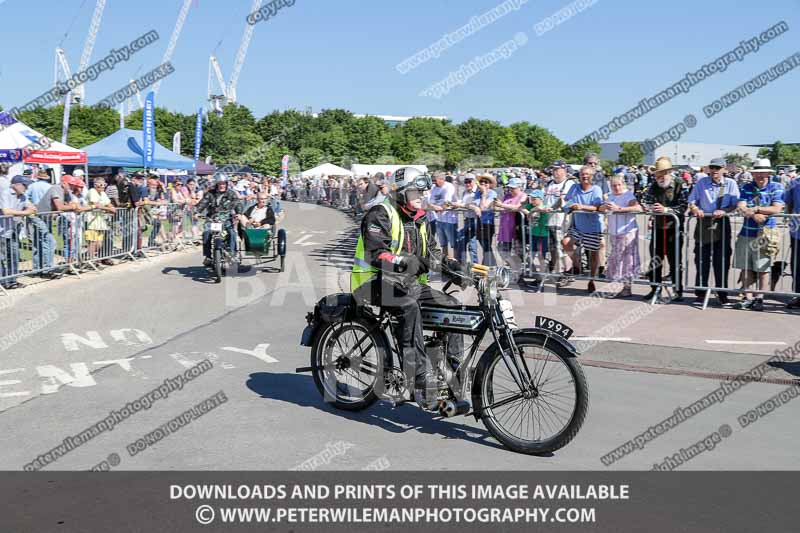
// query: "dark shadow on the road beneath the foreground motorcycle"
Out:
[300,390]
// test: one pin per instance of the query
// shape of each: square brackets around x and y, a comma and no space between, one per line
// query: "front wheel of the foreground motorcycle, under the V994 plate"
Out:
[540,423]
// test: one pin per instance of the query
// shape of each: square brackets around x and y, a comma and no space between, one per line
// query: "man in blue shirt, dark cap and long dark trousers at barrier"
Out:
[711,199]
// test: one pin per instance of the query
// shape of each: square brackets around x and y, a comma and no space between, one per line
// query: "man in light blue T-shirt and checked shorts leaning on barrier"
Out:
[586,231]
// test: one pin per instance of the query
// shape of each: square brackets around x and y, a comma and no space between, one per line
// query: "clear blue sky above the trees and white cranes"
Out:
[343,53]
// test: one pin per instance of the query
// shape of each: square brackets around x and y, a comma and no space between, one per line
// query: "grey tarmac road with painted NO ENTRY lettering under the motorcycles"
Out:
[74,350]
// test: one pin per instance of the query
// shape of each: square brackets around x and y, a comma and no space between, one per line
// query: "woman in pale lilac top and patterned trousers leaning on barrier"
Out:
[623,232]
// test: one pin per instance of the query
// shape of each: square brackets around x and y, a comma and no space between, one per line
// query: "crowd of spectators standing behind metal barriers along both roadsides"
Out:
[554,223]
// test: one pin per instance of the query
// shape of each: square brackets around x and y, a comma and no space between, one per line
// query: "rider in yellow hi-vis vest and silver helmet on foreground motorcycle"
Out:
[394,254]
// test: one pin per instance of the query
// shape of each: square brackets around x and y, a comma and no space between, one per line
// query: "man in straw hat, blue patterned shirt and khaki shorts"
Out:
[758,243]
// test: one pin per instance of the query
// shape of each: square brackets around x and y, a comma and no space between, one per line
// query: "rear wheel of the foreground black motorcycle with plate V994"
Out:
[348,381]
